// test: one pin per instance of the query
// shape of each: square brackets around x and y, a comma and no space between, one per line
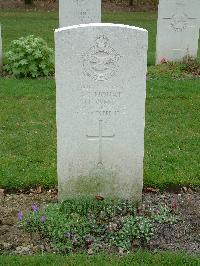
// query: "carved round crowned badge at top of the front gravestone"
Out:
[101,61]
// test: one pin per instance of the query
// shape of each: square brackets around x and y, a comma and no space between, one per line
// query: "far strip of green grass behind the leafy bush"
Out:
[21,23]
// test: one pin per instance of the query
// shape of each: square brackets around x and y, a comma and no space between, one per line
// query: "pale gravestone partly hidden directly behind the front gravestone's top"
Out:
[74,12]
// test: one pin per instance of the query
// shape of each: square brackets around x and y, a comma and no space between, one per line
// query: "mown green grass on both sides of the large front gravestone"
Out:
[28,133]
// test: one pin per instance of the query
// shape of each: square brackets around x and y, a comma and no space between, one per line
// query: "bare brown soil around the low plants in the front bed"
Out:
[182,236]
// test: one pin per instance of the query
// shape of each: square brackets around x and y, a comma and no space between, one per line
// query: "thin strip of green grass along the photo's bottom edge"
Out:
[136,259]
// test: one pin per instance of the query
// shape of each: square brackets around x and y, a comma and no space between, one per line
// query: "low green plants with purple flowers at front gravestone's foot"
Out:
[90,224]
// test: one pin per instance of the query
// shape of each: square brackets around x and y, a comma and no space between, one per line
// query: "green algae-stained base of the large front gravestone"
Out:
[101,182]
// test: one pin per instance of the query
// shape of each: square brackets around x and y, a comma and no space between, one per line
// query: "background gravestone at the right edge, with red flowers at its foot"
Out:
[178,29]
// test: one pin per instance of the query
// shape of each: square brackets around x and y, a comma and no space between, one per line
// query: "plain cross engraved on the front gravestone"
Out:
[100,137]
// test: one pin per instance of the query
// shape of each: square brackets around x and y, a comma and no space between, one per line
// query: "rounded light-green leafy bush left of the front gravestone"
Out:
[30,57]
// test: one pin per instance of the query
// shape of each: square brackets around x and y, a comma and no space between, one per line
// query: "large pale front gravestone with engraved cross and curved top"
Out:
[101,86]
